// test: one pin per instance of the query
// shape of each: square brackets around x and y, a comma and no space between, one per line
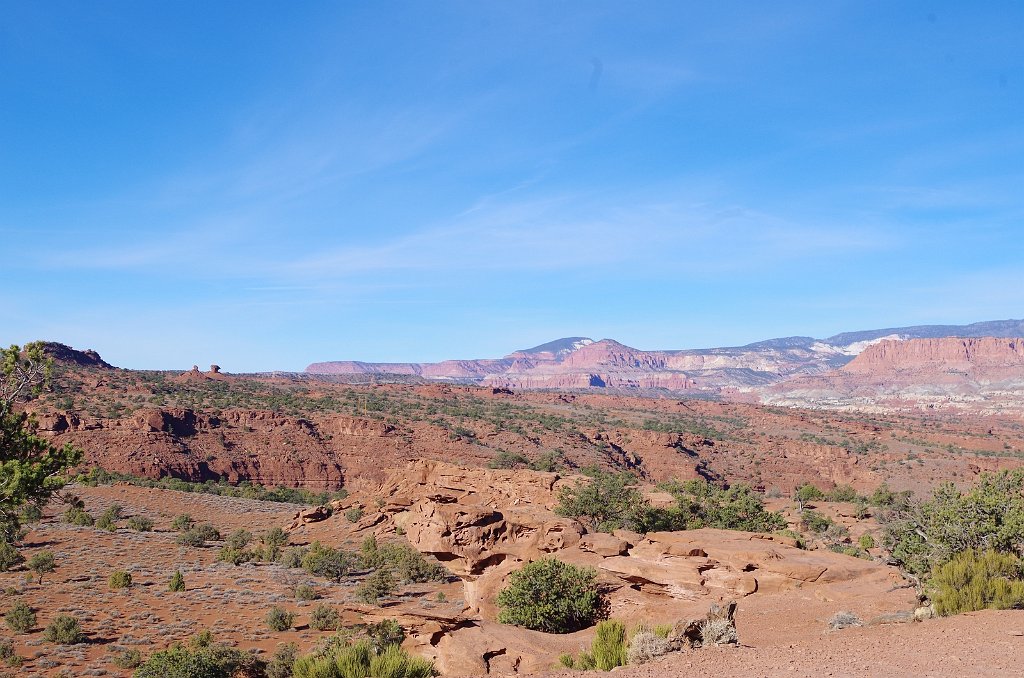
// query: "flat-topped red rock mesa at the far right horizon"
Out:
[947,354]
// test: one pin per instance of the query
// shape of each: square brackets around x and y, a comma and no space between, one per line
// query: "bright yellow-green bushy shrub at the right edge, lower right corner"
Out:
[975,581]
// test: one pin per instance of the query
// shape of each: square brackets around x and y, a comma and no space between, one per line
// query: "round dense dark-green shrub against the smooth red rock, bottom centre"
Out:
[552,597]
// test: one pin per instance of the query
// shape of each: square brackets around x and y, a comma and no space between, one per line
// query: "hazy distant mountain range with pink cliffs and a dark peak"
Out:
[582,363]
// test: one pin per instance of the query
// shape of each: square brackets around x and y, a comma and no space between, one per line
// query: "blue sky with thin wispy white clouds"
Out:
[265,185]
